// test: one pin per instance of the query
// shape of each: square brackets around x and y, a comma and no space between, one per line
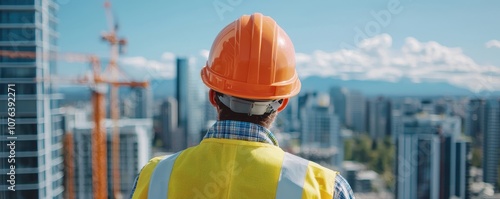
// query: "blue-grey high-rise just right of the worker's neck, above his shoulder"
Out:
[320,131]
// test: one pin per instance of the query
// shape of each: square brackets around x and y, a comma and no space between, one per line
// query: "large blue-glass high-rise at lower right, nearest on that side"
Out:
[431,160]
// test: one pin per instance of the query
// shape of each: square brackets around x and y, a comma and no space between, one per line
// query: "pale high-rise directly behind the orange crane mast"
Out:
[135,151]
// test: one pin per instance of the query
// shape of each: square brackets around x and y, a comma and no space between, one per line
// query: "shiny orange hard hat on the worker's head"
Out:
[252,58]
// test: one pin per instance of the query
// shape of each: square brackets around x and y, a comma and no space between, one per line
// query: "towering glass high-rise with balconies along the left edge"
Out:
[30,26]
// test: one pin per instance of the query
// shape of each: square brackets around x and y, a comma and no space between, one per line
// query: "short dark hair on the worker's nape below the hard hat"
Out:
[225,113]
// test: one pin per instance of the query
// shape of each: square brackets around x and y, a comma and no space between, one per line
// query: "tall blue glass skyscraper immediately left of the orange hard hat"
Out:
[190,102]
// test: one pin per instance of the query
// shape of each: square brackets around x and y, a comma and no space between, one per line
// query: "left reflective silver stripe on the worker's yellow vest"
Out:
[158,186]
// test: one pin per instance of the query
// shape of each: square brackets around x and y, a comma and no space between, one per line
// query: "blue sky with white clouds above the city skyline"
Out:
[420,40]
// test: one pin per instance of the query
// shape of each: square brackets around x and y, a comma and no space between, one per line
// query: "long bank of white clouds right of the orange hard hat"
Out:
[375,59]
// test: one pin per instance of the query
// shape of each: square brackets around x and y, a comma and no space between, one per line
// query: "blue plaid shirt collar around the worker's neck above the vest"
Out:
[229,129]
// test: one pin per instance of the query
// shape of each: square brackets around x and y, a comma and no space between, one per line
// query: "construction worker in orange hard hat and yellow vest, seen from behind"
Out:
[251,75]
